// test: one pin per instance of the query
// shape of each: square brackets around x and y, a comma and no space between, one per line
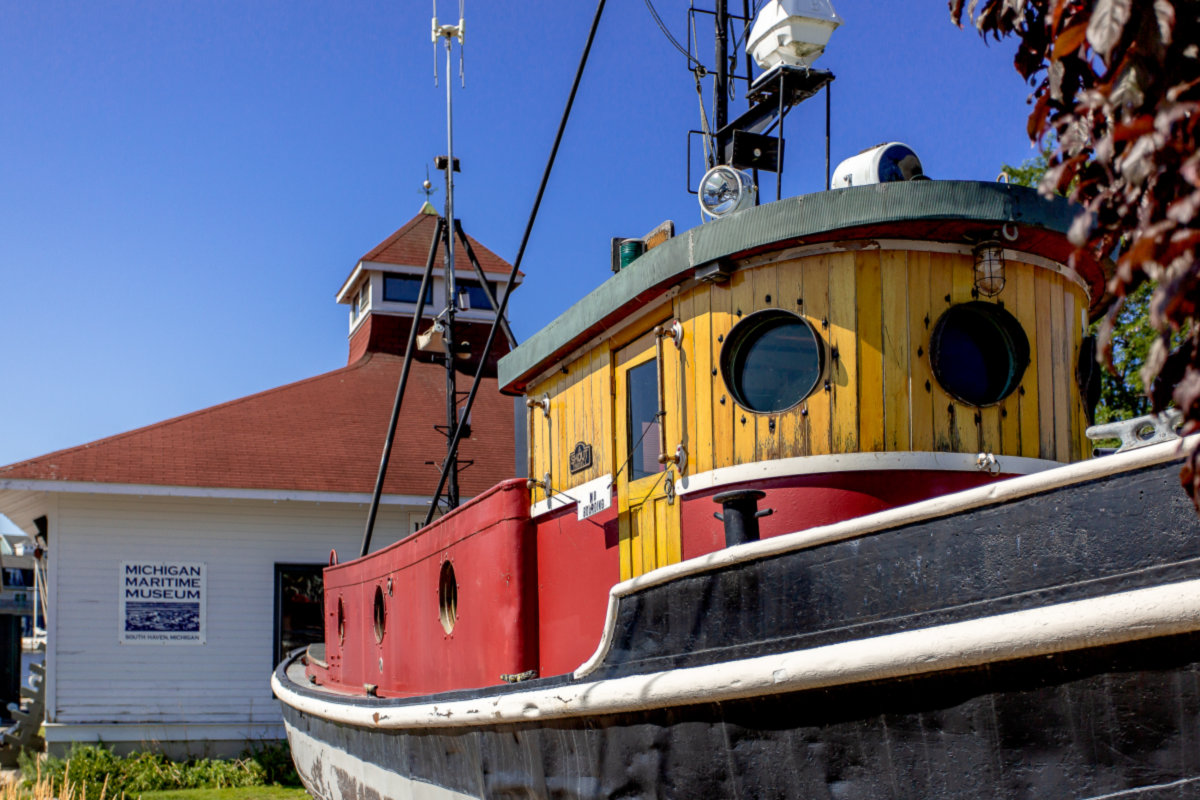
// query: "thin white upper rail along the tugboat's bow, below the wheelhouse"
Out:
[1013,489]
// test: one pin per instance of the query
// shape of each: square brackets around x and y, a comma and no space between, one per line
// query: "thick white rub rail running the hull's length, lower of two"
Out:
[1112,619]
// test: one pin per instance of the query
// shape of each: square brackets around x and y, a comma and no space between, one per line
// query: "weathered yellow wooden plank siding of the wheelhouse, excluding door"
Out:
[874,311]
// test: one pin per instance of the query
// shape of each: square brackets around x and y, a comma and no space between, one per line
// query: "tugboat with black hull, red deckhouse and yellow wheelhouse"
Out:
[812,513]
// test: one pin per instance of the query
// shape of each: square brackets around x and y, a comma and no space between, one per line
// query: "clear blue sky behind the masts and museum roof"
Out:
[184,187]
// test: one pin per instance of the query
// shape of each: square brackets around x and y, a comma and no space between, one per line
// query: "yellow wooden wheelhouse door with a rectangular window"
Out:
[649,513]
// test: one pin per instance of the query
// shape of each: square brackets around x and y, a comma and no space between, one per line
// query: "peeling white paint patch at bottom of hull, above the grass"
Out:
[319,760]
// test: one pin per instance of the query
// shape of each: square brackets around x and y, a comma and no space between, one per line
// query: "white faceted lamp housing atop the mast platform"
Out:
[791,32]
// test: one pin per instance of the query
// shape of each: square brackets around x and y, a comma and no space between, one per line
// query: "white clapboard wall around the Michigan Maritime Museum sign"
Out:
[226,681]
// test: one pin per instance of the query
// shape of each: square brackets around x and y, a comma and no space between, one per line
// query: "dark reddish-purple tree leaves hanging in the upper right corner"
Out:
[1117,87]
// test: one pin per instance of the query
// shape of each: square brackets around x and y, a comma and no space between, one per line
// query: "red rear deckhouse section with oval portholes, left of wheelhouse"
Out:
[489,543]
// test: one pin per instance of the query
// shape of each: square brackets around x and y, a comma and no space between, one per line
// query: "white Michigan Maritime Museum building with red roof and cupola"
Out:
[184,558]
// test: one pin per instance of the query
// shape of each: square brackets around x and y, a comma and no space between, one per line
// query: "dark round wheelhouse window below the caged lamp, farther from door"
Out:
[979,353]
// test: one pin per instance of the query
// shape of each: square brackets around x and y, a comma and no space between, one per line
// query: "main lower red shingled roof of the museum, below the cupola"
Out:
[321,435]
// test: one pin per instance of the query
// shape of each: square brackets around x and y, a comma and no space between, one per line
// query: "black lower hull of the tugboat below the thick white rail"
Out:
[1085,725]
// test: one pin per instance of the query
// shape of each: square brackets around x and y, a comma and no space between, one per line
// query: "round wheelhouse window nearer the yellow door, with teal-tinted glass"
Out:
[772,360]
